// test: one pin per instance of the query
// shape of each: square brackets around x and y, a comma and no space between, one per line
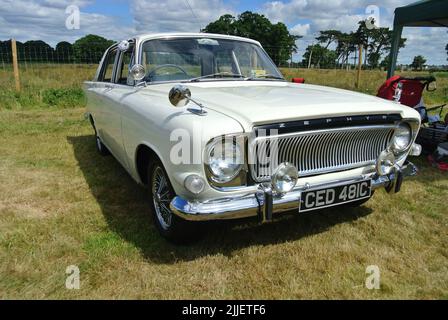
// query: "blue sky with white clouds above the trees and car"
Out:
[118,19]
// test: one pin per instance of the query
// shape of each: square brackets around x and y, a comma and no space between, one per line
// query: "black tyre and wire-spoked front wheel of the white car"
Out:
[169,225]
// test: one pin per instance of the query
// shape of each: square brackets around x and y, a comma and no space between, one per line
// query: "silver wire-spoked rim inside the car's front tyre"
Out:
[162,197]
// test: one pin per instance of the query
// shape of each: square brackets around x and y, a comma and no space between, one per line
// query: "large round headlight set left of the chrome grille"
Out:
[225,160]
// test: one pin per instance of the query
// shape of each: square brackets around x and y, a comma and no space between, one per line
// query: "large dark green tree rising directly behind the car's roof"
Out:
[275,38]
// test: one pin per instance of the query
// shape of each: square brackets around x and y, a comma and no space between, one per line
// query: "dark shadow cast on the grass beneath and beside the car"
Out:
[125,207]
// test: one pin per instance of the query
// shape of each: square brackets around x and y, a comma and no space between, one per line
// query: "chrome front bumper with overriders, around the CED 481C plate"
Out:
[263,202]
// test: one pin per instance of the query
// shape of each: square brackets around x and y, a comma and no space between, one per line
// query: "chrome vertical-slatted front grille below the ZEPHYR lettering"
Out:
[319,151]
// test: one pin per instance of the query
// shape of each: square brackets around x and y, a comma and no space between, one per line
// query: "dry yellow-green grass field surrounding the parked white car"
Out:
[62,204]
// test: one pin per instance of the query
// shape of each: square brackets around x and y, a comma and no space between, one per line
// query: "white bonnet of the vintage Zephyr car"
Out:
[254,103]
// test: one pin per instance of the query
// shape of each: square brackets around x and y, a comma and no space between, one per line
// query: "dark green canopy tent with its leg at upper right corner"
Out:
[425,13]
